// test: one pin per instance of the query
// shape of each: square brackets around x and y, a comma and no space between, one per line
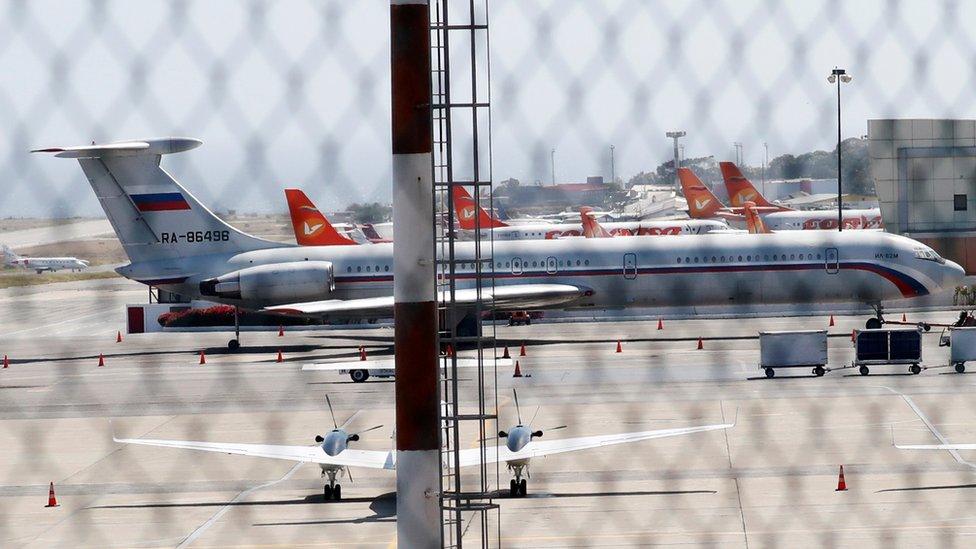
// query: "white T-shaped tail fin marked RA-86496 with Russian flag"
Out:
[154,216]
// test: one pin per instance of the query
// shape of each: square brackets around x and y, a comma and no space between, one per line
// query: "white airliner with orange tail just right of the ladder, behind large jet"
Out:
[467,210]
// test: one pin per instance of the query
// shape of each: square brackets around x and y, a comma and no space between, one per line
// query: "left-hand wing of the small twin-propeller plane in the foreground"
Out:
[306,454]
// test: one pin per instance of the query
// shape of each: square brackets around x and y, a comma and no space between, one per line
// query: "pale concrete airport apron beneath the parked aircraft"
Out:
[769,481]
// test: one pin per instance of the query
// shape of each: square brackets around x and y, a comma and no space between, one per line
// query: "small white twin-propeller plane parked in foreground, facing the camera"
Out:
[334,456]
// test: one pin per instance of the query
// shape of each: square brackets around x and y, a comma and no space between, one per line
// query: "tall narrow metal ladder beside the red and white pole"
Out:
[468,509]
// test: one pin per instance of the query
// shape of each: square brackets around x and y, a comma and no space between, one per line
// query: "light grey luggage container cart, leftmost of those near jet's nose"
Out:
[793,349]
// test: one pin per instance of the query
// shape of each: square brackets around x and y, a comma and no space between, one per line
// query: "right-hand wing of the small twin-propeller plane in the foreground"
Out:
[542,448]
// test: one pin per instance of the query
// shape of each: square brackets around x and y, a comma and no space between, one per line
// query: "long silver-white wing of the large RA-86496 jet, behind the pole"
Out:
[516,296]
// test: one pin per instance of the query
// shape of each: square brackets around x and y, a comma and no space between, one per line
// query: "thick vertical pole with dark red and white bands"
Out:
[414,307]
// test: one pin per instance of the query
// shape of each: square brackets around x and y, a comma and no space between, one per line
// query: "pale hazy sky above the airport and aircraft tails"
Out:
[296,92]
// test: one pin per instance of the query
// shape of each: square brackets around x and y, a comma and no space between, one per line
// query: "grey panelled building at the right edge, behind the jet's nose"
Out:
[924,172]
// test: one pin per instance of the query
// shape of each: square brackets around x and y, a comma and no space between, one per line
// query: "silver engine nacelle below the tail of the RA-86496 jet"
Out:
[278,282]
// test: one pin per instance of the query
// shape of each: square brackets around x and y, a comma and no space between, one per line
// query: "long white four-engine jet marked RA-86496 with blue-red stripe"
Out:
[176,243]
